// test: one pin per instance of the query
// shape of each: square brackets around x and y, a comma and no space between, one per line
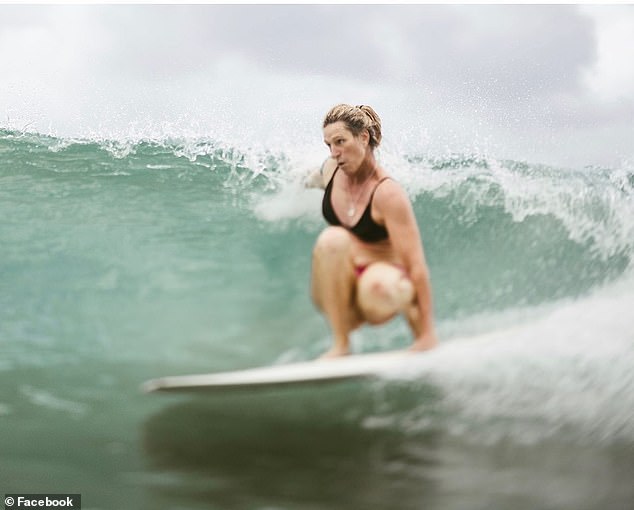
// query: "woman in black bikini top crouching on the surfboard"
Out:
[368,265]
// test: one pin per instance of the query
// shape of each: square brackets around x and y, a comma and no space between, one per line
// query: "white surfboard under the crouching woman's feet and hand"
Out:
[317,371]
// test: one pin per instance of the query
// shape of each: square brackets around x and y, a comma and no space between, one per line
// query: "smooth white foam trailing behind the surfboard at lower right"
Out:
[569,371]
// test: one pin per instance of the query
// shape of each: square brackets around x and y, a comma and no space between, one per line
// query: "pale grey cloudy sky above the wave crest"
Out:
[550,84]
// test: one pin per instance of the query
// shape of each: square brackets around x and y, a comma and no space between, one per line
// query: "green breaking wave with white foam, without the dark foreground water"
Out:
[180,249]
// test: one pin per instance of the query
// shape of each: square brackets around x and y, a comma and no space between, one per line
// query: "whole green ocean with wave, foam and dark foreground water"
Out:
[123,260]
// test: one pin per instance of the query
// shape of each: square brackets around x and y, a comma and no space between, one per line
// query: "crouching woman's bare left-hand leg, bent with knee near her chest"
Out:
[334,286]
